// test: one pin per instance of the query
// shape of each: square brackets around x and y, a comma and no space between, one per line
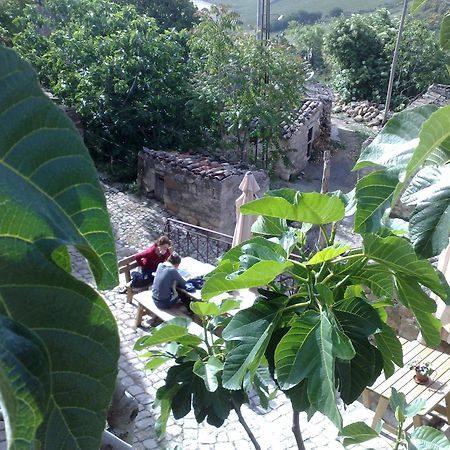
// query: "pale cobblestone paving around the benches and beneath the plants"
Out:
[136,224]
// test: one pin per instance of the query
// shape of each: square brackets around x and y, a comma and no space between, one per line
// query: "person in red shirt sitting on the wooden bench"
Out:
[149,259]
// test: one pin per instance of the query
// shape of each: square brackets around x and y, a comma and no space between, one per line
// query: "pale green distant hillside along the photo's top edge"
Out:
[247,8]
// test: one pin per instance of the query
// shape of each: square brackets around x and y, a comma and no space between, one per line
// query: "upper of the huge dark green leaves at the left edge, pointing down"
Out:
[43,162]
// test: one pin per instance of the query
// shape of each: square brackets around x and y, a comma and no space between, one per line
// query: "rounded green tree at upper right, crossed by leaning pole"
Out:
[359,50]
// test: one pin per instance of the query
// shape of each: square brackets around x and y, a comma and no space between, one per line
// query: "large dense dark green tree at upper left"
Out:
[126,77]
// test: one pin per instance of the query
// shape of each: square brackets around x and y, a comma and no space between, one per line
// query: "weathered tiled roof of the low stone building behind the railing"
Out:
[200,165]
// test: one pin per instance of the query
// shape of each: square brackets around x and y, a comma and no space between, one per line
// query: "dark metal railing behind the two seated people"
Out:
[200,243]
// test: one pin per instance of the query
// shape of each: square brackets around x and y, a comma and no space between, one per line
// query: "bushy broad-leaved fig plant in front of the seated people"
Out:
[323,331]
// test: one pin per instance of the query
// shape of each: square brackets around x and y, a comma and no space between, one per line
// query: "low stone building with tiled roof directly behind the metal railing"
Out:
[195,188]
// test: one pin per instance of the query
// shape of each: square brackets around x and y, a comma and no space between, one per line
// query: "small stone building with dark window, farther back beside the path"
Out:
[309,130]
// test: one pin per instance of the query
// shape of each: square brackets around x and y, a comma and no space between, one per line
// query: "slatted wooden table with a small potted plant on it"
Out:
[434,392]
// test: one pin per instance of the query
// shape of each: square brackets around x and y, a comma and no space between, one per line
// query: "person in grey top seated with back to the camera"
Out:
[167,279]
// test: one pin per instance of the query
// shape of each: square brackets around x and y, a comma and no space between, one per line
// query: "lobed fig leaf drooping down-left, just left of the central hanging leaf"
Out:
[252,328]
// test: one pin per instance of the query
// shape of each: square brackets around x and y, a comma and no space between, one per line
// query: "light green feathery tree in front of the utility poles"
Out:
[245,89]
